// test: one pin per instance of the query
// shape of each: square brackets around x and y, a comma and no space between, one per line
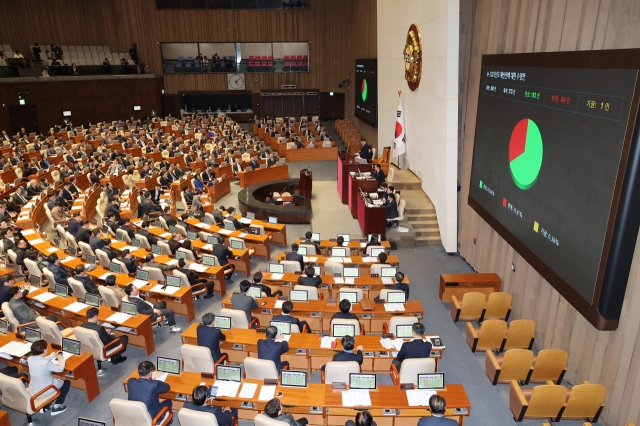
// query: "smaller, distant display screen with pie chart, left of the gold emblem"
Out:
[366,90]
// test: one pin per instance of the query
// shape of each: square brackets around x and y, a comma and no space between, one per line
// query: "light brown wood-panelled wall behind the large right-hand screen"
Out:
[611,358]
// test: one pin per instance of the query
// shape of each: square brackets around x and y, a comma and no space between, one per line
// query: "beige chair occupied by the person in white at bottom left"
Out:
[17,397]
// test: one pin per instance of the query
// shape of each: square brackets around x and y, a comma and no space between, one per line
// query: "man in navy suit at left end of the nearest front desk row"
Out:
[147,390]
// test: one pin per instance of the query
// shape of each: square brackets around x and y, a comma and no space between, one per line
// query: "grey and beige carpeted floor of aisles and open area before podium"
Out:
[422,264]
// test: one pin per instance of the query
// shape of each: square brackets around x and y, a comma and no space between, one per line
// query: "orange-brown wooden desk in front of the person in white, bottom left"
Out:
[83,371]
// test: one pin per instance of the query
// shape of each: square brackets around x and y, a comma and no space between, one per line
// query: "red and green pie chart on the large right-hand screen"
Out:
[525,153]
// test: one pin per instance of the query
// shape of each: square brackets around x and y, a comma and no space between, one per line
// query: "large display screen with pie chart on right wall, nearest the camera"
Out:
[549,146]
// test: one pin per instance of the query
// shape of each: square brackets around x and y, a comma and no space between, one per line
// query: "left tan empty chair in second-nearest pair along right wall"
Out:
[515,364]
